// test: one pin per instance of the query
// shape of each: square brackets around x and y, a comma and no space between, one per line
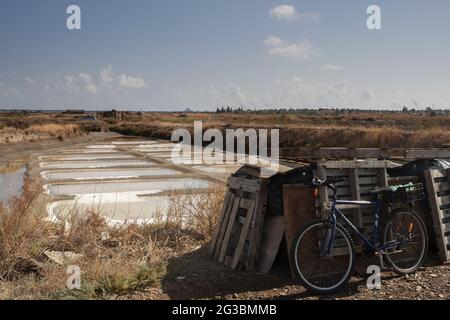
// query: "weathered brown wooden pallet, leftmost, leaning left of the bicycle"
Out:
[236,238]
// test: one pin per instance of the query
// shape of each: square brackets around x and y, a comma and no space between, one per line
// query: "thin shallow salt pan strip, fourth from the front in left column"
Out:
[93,164]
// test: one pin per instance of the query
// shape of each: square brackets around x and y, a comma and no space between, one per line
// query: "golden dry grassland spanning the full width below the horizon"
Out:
[309,129]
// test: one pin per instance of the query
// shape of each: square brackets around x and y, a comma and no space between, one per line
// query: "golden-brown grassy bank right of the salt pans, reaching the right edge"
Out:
[363,130]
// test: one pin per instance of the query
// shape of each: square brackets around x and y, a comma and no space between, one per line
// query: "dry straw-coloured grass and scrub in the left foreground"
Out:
[115,260]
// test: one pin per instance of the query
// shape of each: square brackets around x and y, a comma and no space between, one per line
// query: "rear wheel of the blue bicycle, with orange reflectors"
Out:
[406,227]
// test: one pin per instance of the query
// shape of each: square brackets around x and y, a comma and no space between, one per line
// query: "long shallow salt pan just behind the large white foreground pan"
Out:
[141,187]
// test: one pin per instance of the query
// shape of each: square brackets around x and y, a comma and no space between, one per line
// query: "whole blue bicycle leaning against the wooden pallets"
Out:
[323,253]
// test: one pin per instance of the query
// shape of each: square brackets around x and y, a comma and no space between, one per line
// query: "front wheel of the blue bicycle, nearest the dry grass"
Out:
[319,270]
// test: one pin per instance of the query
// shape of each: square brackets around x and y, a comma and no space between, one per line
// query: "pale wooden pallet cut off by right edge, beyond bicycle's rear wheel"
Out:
[438,189]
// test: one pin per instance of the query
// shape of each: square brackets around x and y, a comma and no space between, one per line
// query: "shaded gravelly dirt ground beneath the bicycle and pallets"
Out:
[194,276]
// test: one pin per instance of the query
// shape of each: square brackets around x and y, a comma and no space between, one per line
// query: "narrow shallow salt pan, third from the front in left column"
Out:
[106,174]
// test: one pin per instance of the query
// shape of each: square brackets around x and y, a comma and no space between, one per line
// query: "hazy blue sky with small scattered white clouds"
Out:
[170,55]
